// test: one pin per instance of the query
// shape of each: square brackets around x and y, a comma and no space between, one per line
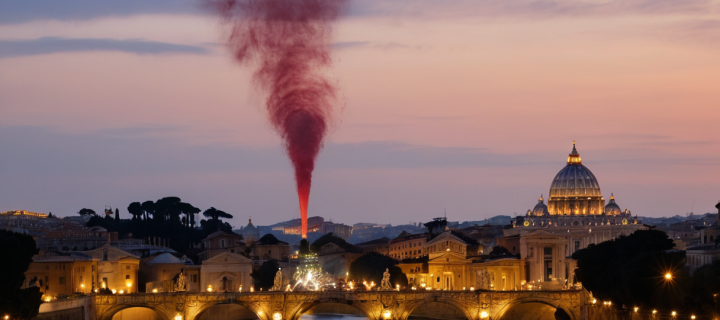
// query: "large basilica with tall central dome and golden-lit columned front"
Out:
[575,217]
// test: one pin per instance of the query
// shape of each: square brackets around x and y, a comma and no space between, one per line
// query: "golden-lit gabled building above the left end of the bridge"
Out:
[116,269]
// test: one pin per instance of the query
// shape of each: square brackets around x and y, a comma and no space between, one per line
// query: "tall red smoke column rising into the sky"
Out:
[289,43]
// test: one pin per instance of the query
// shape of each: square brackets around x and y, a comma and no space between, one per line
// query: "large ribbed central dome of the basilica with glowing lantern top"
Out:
[575,190]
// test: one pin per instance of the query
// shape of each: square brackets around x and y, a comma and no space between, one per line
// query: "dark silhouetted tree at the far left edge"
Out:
[17,251]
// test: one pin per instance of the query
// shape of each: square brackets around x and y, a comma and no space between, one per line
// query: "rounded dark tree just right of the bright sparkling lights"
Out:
[370,267]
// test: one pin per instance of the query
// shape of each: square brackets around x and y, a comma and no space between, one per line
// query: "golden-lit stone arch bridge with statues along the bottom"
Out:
[376,305]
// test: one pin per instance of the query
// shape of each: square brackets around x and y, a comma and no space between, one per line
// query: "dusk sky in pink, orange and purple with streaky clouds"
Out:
[459,107]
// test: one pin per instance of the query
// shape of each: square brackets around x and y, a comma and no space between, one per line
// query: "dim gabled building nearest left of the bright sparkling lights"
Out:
[226,272]
